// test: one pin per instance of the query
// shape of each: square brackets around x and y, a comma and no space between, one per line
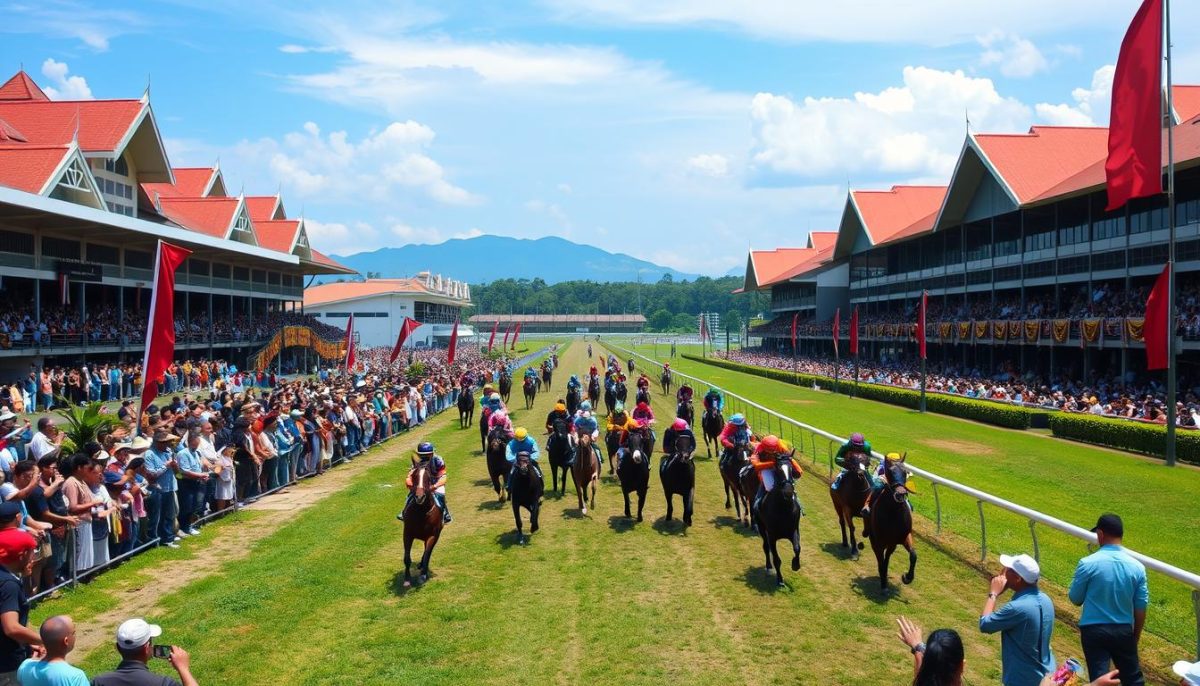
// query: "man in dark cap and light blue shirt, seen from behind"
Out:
[1112,588]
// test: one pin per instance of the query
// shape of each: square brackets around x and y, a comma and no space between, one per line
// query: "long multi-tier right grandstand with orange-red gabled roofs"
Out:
[1023,266]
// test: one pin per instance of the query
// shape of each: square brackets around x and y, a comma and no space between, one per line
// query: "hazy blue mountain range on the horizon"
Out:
[483,260]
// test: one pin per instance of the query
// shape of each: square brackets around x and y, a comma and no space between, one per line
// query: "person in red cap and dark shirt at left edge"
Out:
[16,557]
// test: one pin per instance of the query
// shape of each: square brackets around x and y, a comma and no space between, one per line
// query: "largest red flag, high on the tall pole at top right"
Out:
[1135,167]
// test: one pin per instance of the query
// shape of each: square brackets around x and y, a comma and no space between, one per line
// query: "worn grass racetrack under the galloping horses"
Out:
[592,600]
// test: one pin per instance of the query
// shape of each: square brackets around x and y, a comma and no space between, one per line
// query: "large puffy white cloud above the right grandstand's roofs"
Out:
[916,129]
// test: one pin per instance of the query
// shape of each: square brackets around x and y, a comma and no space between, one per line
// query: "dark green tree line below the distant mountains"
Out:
[669,305]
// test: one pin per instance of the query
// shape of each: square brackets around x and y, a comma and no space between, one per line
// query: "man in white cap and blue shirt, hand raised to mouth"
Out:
[1024,624]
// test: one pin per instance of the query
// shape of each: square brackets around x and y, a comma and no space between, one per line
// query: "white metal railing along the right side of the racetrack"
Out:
[1033,516]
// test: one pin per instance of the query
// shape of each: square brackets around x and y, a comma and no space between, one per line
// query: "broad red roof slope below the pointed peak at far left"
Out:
[101,124]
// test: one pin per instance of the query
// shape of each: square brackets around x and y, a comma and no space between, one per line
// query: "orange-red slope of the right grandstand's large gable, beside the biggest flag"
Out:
[1035,163]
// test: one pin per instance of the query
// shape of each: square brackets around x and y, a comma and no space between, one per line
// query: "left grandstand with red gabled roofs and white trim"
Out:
[87,190]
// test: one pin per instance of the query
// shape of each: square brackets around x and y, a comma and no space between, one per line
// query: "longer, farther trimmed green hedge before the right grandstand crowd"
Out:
[1009,417]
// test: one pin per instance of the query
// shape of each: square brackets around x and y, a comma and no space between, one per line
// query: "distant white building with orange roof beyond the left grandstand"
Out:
[381,305]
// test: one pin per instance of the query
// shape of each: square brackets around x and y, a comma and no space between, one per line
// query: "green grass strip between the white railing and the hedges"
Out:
[1072,482]
